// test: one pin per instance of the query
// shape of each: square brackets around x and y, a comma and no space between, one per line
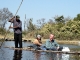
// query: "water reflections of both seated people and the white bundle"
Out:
[50,56]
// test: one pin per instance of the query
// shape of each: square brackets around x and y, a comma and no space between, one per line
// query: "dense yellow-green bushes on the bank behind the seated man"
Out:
[62,29]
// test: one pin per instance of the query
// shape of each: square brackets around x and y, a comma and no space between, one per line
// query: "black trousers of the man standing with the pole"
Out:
[18,40]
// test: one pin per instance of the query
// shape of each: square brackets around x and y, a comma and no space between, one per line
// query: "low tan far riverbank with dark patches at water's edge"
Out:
[73,42]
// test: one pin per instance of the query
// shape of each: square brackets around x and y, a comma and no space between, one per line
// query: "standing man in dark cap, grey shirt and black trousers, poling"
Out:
[17,27]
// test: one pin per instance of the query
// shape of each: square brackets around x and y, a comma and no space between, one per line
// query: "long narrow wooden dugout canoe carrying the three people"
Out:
[31,49]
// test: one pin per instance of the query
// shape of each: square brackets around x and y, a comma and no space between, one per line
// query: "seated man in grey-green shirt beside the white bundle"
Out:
[51,44]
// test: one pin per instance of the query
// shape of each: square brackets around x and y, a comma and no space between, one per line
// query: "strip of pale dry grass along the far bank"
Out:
[74,42]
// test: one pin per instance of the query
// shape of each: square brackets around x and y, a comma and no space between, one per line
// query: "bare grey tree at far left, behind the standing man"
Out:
[5,15]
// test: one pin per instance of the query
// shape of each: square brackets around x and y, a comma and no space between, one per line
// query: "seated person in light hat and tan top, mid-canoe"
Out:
[37,42]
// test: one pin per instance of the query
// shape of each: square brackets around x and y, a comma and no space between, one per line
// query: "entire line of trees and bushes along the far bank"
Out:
[64,28]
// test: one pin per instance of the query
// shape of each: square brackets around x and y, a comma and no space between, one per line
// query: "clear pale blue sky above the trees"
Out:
[38,9]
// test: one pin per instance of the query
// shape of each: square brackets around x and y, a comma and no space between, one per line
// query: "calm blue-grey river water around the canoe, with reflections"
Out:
[8,54]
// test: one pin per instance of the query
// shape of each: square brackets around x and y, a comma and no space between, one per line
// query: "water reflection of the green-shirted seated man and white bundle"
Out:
[57,56]
